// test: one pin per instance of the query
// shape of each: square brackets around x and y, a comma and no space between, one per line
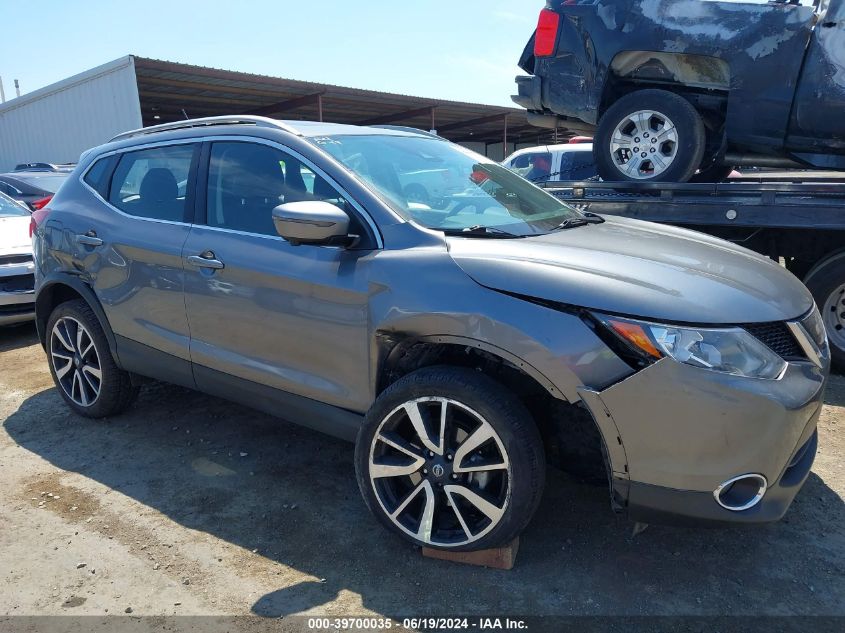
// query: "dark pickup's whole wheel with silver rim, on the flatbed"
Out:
[679,153]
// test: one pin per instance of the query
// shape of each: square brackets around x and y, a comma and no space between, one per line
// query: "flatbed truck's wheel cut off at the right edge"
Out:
[826,282]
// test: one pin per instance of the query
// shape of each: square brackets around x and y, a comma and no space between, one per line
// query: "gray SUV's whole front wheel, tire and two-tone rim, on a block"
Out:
[495,500]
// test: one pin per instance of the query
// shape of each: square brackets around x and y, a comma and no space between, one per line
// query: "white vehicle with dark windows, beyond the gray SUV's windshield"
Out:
[552,163]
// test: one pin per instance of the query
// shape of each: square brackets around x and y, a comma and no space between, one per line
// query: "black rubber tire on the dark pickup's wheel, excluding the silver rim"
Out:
[691,135]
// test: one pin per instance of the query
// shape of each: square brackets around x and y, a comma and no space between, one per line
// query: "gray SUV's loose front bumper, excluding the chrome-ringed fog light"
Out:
[674,433]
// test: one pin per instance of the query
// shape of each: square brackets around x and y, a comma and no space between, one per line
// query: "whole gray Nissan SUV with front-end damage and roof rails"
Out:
[286,265]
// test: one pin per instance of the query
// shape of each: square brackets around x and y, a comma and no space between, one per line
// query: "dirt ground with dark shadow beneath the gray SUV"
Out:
[191,505]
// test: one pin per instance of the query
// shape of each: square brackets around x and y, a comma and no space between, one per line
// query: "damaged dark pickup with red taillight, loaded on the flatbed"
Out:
[672,88]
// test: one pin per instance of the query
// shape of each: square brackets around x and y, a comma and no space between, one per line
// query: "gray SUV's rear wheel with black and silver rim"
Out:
[75,372]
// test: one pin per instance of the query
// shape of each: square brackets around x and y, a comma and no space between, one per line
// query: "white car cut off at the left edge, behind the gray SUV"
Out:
[17,271]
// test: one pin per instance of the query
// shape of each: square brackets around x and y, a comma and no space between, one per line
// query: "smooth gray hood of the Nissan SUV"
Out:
[640,269]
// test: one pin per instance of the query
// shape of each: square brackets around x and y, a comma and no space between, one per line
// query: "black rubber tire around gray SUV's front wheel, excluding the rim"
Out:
[511,421]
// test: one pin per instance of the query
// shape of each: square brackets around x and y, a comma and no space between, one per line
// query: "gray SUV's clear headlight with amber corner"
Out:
[727,350]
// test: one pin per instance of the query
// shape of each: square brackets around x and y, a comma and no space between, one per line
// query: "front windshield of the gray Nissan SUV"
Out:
[446,187]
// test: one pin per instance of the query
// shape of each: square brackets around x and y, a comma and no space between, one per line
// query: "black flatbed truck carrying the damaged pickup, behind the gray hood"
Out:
[795,218]
